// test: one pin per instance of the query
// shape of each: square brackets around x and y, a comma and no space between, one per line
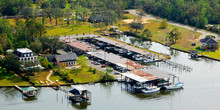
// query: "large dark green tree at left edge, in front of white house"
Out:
[11,63]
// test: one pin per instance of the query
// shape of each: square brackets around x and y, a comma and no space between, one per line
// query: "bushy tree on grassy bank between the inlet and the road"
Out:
[174,35]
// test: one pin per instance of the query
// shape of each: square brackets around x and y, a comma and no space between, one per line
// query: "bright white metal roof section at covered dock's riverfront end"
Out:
[135,77]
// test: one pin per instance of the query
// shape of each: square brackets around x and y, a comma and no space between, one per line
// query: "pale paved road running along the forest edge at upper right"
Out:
[203,32]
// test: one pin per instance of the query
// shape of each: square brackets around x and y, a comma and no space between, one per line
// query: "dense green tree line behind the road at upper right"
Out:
[197,13]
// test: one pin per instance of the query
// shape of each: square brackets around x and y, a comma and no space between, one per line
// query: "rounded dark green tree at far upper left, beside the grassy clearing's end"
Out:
[27,13]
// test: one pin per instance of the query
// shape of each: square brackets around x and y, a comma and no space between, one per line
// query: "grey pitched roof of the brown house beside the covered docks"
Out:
[66,57]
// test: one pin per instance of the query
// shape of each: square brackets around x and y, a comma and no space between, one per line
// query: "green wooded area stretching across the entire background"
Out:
[28,32]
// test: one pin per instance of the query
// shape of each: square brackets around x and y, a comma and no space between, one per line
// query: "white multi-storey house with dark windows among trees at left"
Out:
[25,54]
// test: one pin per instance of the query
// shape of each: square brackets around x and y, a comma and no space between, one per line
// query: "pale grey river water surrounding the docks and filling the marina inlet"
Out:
[201,90]
